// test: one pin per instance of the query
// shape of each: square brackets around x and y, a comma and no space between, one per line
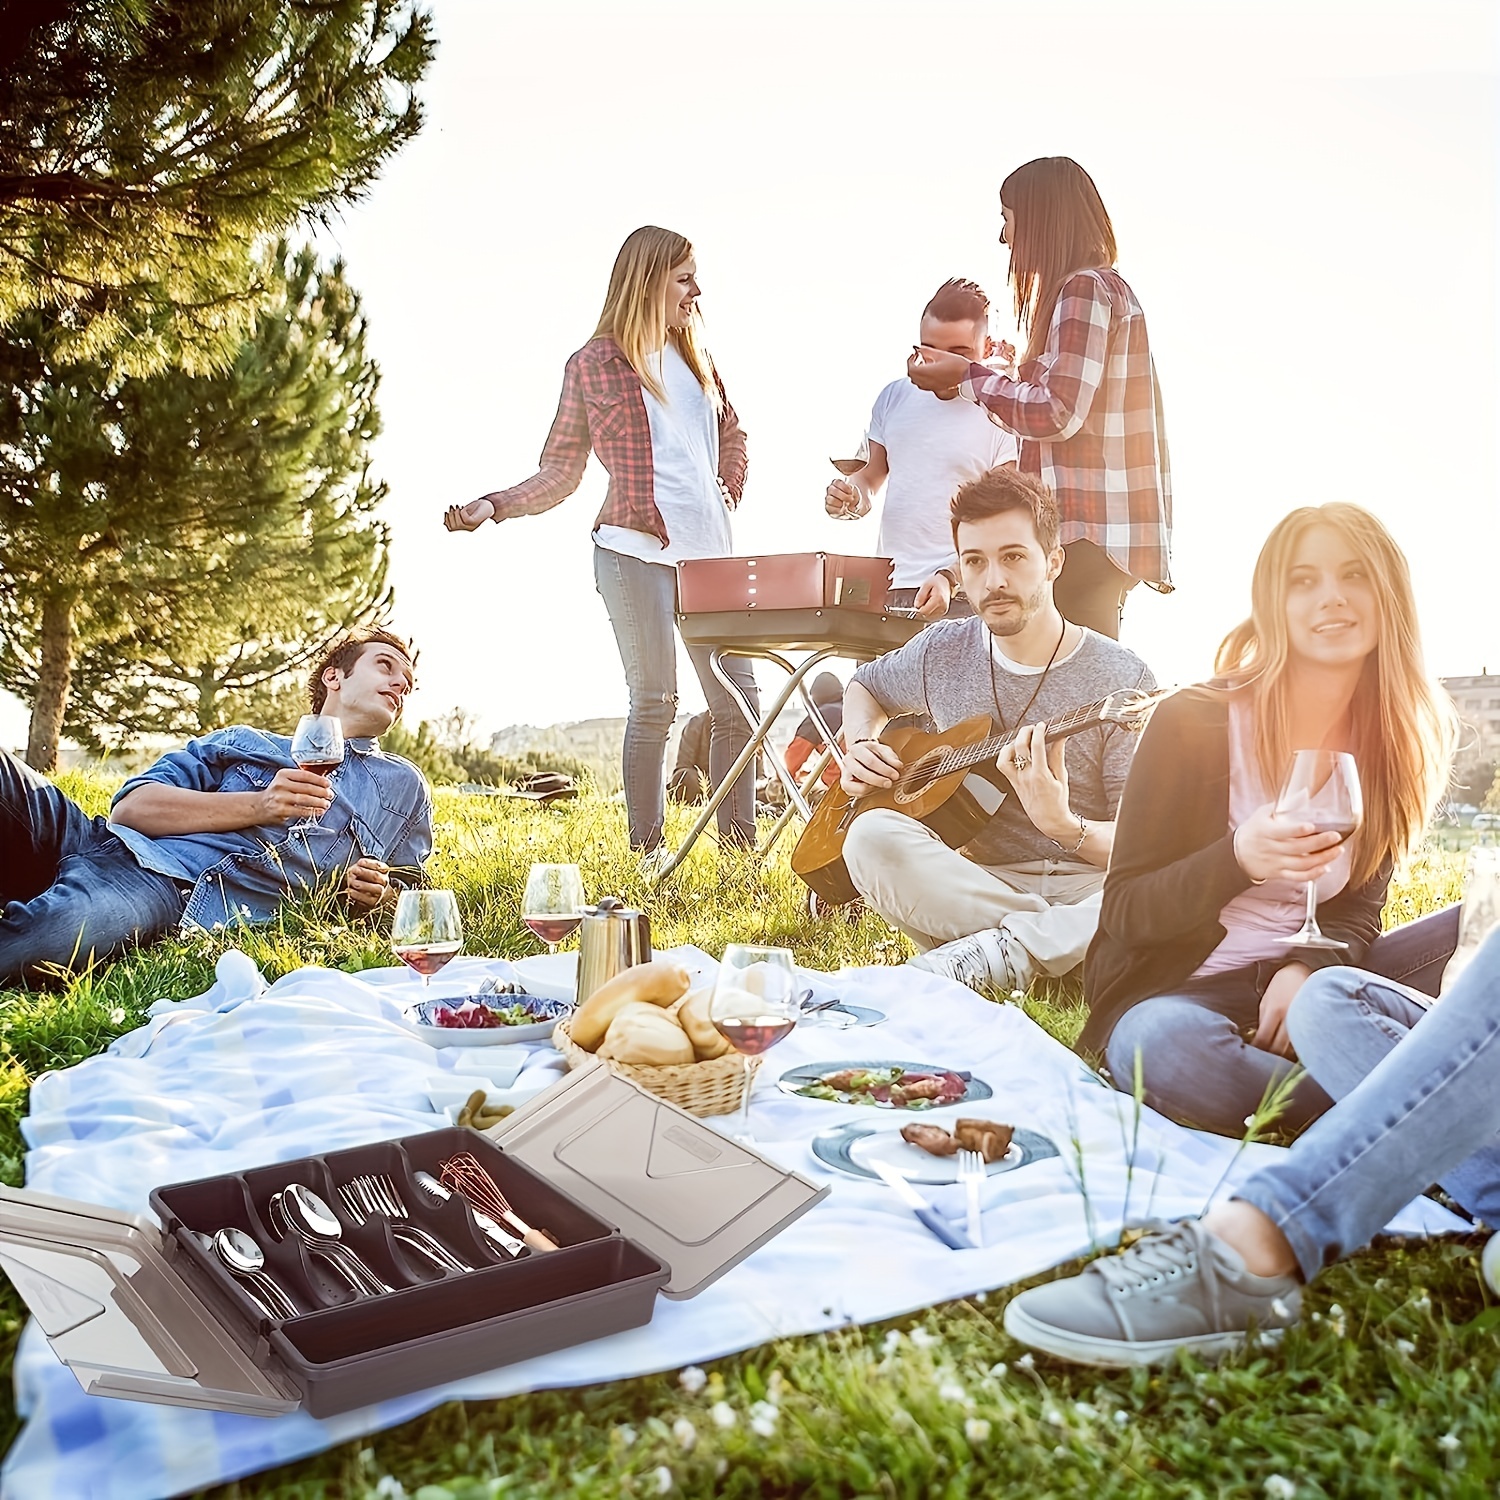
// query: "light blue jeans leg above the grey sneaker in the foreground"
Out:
[1429,1108]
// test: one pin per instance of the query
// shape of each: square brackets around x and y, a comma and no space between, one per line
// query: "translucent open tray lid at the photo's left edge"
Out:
[118,1313]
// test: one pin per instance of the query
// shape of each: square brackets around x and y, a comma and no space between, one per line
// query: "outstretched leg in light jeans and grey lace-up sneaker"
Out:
[1429,1108]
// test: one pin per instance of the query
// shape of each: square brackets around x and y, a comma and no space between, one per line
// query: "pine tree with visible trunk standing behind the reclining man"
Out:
[173,544]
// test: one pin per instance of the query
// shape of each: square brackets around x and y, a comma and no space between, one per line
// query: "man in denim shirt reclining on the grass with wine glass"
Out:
[221,832]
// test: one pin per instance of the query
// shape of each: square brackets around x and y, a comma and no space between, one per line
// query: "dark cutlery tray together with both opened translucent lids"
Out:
[640,1196]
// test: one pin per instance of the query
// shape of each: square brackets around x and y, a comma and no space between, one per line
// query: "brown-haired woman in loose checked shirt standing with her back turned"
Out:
[1085,401]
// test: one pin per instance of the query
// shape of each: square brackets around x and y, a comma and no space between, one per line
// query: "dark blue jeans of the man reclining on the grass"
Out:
[70,887]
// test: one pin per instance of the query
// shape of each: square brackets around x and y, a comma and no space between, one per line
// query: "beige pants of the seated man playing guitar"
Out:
[935,895]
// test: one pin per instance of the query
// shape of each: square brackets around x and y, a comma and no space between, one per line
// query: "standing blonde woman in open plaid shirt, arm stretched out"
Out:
[646,398]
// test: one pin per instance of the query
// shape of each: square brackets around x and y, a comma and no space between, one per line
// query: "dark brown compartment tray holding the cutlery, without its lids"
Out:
[349,1349]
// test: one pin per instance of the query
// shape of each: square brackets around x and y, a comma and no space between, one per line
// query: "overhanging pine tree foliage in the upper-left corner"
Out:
[149,146]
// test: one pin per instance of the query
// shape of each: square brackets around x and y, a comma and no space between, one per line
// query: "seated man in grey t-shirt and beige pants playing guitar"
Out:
[1021,899]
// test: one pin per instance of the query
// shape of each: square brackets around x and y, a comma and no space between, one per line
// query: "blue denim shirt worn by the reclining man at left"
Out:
[382,808]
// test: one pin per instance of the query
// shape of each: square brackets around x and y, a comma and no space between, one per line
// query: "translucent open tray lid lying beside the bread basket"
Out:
[694,1198]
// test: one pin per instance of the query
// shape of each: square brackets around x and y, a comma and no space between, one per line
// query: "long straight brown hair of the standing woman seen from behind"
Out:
[1061,227]
